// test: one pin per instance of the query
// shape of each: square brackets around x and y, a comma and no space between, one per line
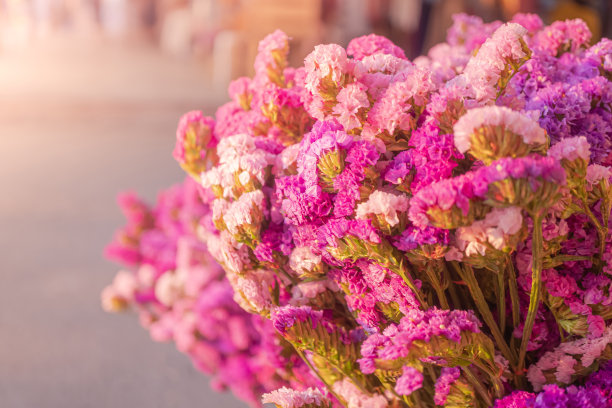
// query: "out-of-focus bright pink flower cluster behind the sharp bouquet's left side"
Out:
[182,295]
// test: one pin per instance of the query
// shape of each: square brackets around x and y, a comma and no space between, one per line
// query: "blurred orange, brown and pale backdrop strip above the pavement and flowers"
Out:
[228,30]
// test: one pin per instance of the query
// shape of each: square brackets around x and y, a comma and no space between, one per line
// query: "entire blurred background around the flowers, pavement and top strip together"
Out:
[90,94]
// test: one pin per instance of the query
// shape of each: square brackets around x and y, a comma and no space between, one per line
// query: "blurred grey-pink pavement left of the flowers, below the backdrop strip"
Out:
[78,124]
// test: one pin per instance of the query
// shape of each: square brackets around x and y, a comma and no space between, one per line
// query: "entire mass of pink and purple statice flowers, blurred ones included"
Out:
[369,231]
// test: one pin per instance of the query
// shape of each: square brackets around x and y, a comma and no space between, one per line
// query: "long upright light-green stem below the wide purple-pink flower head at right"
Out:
[537,249]
